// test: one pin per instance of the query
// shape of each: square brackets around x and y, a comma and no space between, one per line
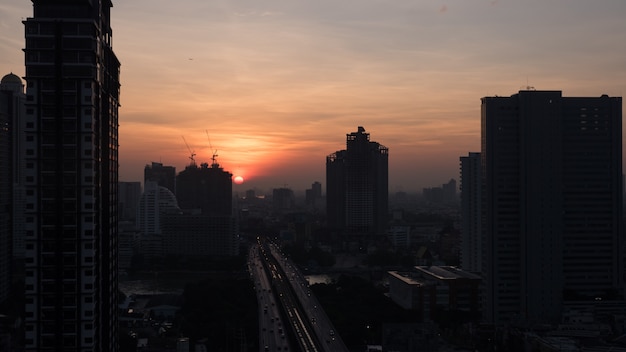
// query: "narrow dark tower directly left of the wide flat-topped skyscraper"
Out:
[471,229]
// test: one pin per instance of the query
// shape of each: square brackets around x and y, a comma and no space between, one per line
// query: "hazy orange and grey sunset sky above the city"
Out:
[273,87]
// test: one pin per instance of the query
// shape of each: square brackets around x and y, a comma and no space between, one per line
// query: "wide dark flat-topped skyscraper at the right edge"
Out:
[552,168]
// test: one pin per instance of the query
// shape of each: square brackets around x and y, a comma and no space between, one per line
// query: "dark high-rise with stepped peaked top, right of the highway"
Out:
[357,186]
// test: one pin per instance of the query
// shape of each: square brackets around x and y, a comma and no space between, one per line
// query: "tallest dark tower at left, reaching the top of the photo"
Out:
[71,175]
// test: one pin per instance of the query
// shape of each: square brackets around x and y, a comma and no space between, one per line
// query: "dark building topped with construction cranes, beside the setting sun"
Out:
[209,189]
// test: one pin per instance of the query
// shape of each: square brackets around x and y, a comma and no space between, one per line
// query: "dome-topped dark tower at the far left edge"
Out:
[12,219]
